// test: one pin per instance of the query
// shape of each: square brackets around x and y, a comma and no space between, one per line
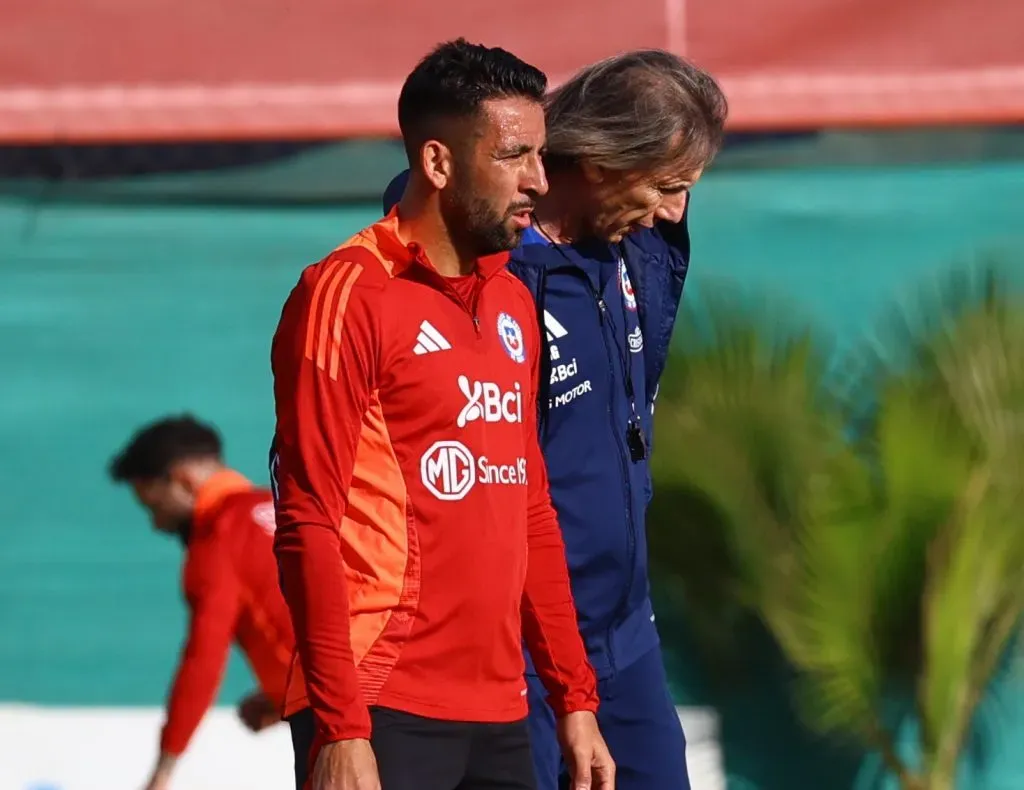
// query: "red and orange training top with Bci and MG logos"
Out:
[416,537]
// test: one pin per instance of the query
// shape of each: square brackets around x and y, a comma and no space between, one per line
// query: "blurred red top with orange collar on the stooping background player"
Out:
[231,586]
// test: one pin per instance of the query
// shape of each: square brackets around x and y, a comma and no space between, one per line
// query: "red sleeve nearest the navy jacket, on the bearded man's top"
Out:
[549,618]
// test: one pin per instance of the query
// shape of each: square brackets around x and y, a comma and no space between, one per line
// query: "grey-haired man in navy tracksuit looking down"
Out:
[606,261]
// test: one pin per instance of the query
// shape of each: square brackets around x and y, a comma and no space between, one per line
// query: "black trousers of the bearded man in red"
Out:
[418,754]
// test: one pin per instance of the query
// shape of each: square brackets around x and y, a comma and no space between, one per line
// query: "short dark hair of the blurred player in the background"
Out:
[155,448]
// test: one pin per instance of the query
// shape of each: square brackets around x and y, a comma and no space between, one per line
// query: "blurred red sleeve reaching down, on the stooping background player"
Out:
[215,599]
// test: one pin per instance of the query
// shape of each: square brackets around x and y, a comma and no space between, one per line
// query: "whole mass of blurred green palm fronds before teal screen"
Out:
[888,557]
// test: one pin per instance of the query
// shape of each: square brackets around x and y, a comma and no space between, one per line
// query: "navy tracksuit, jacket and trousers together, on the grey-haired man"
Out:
[609,314]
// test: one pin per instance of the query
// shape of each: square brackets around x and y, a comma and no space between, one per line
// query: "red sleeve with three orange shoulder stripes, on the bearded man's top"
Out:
[324,360]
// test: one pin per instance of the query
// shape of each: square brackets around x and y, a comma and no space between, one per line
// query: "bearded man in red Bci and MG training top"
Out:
[416,540]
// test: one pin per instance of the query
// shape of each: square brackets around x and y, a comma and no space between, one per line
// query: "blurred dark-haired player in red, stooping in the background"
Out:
[230,577]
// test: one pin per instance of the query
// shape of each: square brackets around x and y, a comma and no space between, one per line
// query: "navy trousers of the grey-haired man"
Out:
[639,723]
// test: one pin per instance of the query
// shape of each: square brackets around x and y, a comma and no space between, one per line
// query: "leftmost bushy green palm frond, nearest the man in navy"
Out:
[737,441]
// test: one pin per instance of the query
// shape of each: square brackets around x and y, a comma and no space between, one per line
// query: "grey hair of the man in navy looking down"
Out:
[639,111]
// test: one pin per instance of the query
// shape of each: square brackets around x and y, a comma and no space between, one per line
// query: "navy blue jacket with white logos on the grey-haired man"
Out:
[609,314]
